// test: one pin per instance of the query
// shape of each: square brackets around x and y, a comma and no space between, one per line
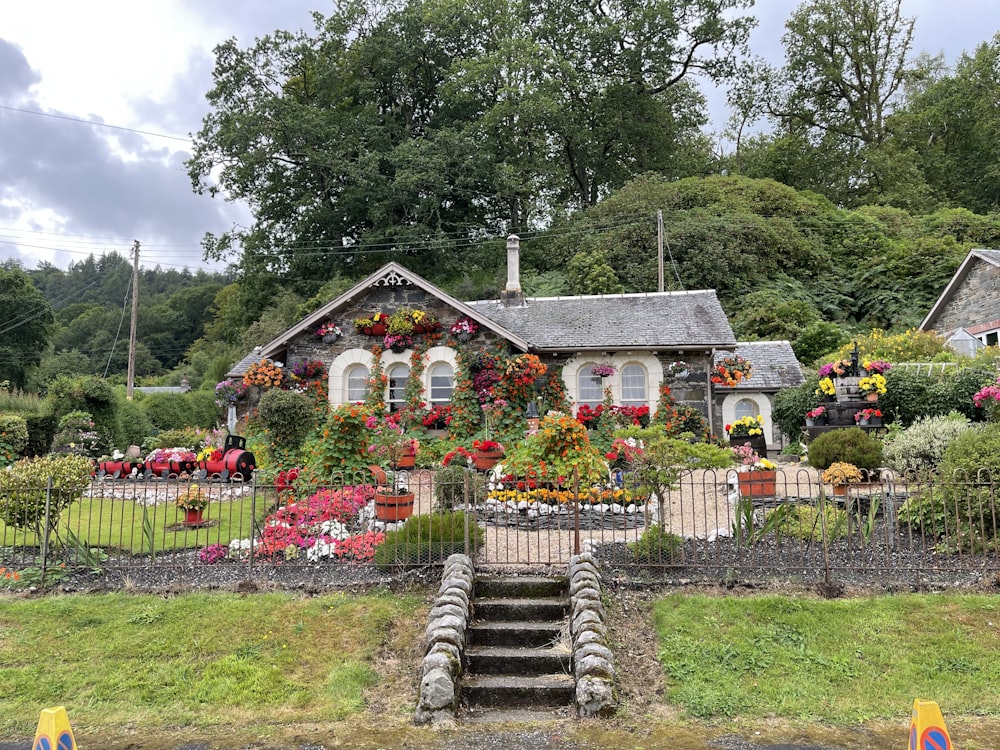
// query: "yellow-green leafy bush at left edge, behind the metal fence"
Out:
[23,489]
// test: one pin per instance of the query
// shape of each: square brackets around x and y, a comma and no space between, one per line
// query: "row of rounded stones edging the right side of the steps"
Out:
[593,662]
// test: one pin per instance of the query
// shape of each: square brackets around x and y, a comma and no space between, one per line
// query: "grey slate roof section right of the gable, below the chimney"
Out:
[655,320]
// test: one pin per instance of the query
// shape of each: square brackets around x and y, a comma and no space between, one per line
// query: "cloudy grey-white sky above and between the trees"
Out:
[69,189]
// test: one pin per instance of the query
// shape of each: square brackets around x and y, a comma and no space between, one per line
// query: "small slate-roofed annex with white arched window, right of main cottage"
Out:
[774,367]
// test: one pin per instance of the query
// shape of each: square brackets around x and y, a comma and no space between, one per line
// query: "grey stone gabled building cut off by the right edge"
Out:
[967,313]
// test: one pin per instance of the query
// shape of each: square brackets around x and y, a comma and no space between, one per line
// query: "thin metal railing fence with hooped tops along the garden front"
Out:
[711,526]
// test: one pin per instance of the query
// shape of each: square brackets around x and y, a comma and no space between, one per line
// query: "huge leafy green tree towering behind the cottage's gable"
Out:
[411,130]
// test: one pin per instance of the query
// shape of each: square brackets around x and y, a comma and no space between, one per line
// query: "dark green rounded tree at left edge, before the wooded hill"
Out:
[26,320]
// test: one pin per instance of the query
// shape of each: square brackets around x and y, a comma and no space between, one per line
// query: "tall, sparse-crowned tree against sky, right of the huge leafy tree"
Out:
[845,65]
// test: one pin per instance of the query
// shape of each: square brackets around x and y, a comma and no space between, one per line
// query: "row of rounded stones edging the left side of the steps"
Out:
[447,621]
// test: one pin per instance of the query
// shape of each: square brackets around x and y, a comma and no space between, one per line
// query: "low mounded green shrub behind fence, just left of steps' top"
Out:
[429,539]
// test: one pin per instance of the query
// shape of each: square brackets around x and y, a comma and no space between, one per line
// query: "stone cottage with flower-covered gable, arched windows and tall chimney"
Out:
[640,335]
